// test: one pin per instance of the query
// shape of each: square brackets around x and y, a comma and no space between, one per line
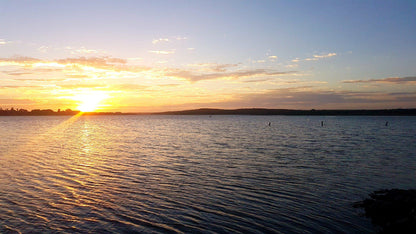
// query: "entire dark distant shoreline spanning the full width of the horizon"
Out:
[210,111]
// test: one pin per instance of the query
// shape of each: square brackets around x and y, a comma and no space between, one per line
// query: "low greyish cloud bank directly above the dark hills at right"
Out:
[309,97]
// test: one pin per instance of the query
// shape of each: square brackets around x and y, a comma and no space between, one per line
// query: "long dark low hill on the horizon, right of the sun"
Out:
[262,111]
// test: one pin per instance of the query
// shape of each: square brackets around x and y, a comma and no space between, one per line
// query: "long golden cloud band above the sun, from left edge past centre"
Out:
[86,67]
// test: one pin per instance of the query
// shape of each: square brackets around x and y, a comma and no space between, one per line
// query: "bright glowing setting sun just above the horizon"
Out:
[91,101]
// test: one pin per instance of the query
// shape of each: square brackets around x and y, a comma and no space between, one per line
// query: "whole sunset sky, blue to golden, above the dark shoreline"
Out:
[148,56]
